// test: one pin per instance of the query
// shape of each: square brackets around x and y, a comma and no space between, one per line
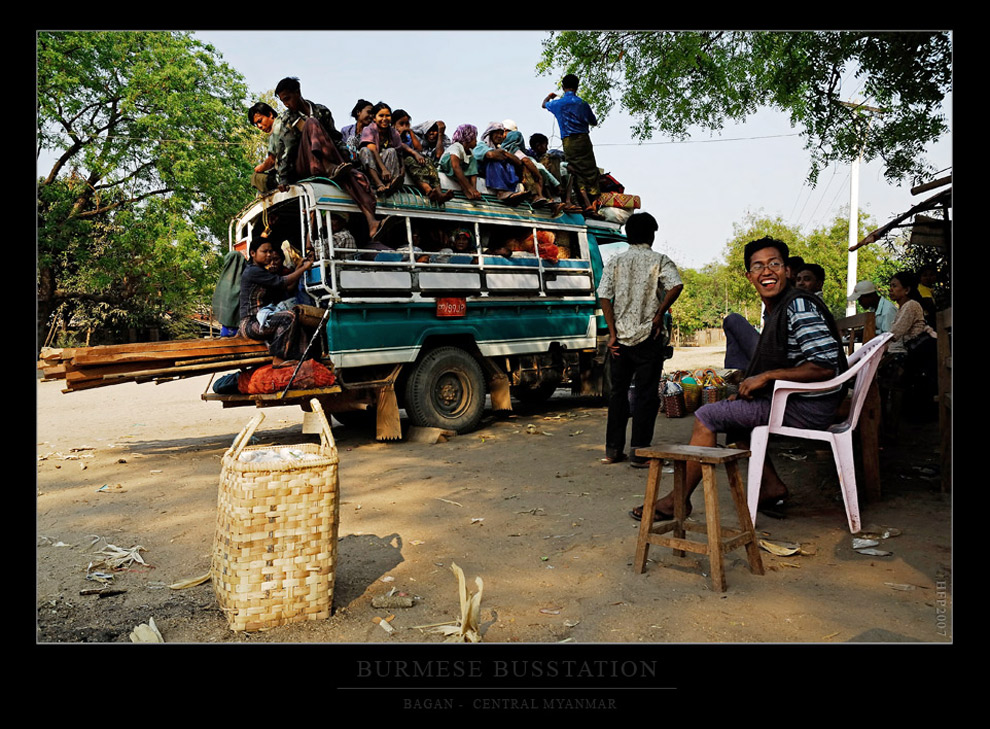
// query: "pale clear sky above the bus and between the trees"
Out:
[696,189]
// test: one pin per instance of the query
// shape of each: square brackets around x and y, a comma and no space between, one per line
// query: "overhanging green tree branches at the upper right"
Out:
[672,81]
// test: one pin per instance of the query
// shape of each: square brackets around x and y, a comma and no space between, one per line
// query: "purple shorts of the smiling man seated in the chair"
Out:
[811,413]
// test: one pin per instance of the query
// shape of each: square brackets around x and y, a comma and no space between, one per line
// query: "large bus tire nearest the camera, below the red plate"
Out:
[446,389]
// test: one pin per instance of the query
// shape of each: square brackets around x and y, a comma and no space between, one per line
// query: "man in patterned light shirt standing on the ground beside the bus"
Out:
[637,289]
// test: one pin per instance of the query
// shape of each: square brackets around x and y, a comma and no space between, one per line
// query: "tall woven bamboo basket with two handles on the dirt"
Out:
[275,549]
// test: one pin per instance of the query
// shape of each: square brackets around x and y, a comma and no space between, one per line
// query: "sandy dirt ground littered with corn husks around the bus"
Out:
[523,503]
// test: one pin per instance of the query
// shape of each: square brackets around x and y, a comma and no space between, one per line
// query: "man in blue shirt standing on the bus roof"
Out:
[575,117]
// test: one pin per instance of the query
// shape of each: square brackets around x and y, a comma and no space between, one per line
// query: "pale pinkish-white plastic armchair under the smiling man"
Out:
[863,365]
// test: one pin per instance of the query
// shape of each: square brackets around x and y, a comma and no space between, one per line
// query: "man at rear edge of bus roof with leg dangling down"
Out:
[307,146]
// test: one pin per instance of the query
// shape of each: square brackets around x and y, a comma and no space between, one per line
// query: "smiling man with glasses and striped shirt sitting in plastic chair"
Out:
[799,343]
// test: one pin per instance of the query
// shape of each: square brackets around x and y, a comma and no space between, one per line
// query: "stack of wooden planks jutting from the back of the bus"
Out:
[86,367]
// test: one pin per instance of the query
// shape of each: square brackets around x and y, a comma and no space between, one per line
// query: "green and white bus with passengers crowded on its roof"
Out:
[408,317]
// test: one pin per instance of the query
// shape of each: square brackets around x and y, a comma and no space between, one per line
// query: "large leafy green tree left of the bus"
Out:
[147,134]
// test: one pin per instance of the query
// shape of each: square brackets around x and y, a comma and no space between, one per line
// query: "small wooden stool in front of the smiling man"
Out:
[720,540]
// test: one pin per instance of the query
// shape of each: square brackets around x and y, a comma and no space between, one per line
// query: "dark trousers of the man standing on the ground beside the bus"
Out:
[642,366]
